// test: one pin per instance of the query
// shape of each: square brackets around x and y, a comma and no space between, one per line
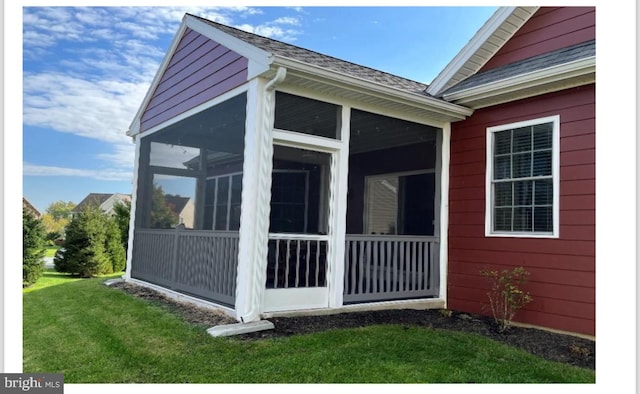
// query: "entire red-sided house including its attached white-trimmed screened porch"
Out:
[322,186]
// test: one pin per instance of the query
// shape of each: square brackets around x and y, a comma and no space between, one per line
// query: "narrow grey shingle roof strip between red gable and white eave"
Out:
[539,62]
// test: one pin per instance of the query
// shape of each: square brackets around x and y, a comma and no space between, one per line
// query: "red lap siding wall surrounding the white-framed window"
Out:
[562,280]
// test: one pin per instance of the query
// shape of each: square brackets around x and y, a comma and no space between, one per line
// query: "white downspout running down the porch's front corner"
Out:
[262,220]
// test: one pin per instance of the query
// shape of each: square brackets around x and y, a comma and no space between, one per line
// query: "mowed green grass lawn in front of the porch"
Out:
[95,334]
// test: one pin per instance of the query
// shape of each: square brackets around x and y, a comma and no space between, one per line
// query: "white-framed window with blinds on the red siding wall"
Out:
[522,178]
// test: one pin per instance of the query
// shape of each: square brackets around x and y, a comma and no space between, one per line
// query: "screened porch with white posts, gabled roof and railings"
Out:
[315,184]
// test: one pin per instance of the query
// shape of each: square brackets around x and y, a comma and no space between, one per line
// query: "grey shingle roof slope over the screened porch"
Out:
[317,59]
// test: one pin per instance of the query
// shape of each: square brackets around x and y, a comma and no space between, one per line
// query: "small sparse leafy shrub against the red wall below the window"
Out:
[505,294]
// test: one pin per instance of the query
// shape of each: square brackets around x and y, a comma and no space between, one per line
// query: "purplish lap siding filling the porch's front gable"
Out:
[199,70]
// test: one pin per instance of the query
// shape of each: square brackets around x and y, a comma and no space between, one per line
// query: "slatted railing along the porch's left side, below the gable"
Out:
[200,263]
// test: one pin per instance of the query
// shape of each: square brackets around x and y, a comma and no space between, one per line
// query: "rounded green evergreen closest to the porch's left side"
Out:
[92,245]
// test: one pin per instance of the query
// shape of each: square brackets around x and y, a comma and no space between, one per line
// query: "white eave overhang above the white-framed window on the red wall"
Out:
[564,76]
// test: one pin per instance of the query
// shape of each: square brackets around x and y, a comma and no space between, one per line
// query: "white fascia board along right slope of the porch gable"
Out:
[259,60]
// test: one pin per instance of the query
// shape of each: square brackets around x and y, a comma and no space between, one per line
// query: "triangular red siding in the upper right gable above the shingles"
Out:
[548,29]
